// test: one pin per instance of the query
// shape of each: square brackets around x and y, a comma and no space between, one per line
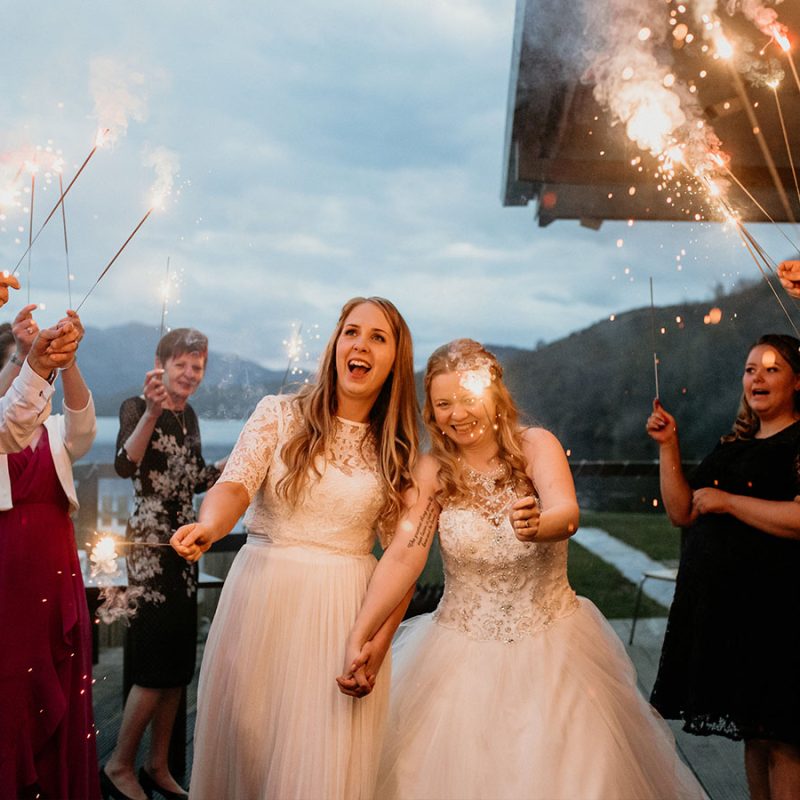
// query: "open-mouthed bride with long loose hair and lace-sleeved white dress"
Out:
[317,470]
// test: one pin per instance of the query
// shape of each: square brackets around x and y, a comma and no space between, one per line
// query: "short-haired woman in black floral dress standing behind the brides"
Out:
[158,446]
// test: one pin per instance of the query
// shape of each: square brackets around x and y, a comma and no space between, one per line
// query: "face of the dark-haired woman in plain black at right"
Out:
[769,383]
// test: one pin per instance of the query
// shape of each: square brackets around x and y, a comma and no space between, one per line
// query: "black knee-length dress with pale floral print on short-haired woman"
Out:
[162,637]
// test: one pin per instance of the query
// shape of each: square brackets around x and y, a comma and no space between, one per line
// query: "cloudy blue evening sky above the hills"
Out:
[325,150]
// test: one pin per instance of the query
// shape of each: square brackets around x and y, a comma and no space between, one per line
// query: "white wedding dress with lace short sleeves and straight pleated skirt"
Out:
[271,722]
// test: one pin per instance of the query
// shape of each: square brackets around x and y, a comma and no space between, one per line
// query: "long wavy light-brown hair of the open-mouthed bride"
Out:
[392,419]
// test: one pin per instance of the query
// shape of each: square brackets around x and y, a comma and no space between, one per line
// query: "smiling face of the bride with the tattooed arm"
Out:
[462,414]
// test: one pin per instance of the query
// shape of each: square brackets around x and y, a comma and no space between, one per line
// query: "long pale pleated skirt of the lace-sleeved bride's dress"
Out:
[271,722]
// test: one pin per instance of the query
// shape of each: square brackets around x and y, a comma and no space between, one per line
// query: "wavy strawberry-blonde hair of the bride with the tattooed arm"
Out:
[464,356]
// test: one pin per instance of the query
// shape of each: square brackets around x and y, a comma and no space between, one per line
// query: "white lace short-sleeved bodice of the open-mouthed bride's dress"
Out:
[338,510]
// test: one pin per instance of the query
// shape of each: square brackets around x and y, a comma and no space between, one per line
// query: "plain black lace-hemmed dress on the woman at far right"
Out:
[731,658]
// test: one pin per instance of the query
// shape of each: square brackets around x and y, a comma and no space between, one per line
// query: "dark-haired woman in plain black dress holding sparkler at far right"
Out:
[731,658]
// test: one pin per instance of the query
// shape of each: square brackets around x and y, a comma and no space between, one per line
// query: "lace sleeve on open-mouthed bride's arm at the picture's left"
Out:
[249,462]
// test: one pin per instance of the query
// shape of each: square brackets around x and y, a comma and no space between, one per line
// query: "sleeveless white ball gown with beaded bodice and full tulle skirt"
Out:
[514,687]
